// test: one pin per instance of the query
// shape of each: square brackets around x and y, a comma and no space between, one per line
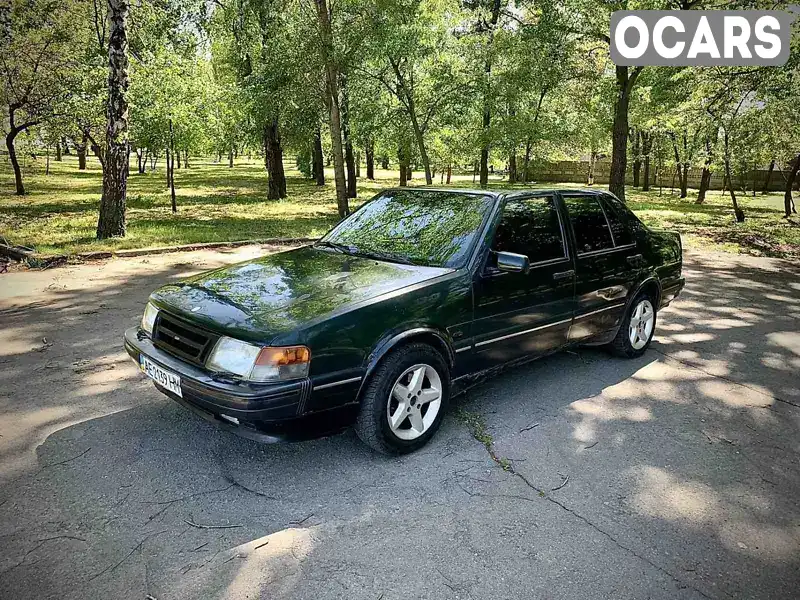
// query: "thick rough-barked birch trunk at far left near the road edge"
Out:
[115,173]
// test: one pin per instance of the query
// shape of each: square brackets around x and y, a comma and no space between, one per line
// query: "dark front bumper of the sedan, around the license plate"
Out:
[263,411]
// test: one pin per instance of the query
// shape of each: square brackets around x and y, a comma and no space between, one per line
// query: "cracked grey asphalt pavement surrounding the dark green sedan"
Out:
[675,475]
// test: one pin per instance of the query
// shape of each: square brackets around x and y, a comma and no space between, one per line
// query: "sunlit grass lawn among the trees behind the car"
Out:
[220,204]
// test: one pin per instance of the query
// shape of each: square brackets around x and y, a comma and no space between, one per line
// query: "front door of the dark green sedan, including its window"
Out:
[524,314]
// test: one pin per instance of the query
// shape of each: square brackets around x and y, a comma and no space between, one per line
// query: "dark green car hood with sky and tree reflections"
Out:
[261,298]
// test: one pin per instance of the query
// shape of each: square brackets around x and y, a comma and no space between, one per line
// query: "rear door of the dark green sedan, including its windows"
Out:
[606,263]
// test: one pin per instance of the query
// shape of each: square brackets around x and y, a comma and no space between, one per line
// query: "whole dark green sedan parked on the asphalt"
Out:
[411,297]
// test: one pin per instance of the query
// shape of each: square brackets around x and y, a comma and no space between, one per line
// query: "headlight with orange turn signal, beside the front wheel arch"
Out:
[256,363]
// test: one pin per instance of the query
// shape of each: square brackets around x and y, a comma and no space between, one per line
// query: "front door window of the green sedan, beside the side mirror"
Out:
[530,226]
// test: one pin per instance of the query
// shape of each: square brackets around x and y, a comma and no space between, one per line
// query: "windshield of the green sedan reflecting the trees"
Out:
[436,229]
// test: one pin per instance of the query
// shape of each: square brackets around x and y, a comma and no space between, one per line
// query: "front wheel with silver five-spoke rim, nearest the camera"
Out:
[405,399]
